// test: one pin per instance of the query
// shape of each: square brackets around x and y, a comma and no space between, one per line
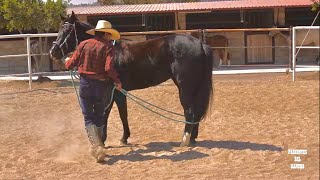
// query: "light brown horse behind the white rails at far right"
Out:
[301,40]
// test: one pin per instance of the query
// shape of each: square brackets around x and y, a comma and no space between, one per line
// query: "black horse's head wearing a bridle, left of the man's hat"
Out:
[69,36]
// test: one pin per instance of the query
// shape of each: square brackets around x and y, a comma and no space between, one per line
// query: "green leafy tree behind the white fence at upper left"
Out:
[23,15]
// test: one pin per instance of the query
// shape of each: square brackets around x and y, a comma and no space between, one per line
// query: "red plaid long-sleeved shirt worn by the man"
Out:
[94,57]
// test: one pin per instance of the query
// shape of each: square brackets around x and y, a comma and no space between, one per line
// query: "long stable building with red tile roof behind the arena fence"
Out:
[217,14]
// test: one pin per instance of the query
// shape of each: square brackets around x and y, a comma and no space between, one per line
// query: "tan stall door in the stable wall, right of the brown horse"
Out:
[259,49]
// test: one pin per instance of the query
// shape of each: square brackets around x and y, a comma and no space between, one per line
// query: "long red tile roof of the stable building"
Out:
[194,6]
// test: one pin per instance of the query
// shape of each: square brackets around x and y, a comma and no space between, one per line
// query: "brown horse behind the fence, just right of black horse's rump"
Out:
[221,43]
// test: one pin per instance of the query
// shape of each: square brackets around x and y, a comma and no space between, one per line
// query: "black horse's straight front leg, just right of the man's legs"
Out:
[121,102]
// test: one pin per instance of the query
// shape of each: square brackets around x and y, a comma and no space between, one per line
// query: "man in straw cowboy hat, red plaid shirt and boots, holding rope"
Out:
[94,60]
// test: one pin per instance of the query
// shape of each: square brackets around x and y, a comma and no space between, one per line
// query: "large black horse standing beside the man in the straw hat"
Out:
[182,58]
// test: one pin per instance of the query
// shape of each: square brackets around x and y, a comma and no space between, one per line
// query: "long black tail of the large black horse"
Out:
[205,87]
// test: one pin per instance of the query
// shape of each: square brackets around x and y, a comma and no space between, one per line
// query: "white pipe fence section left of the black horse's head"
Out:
[27,36]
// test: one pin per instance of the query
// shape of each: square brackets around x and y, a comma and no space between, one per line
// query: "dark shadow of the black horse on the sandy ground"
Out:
[166,150]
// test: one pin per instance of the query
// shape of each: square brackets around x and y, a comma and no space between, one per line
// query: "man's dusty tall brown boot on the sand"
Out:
[97,146]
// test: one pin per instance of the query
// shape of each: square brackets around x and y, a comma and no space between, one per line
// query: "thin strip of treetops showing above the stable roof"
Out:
[112,2]
